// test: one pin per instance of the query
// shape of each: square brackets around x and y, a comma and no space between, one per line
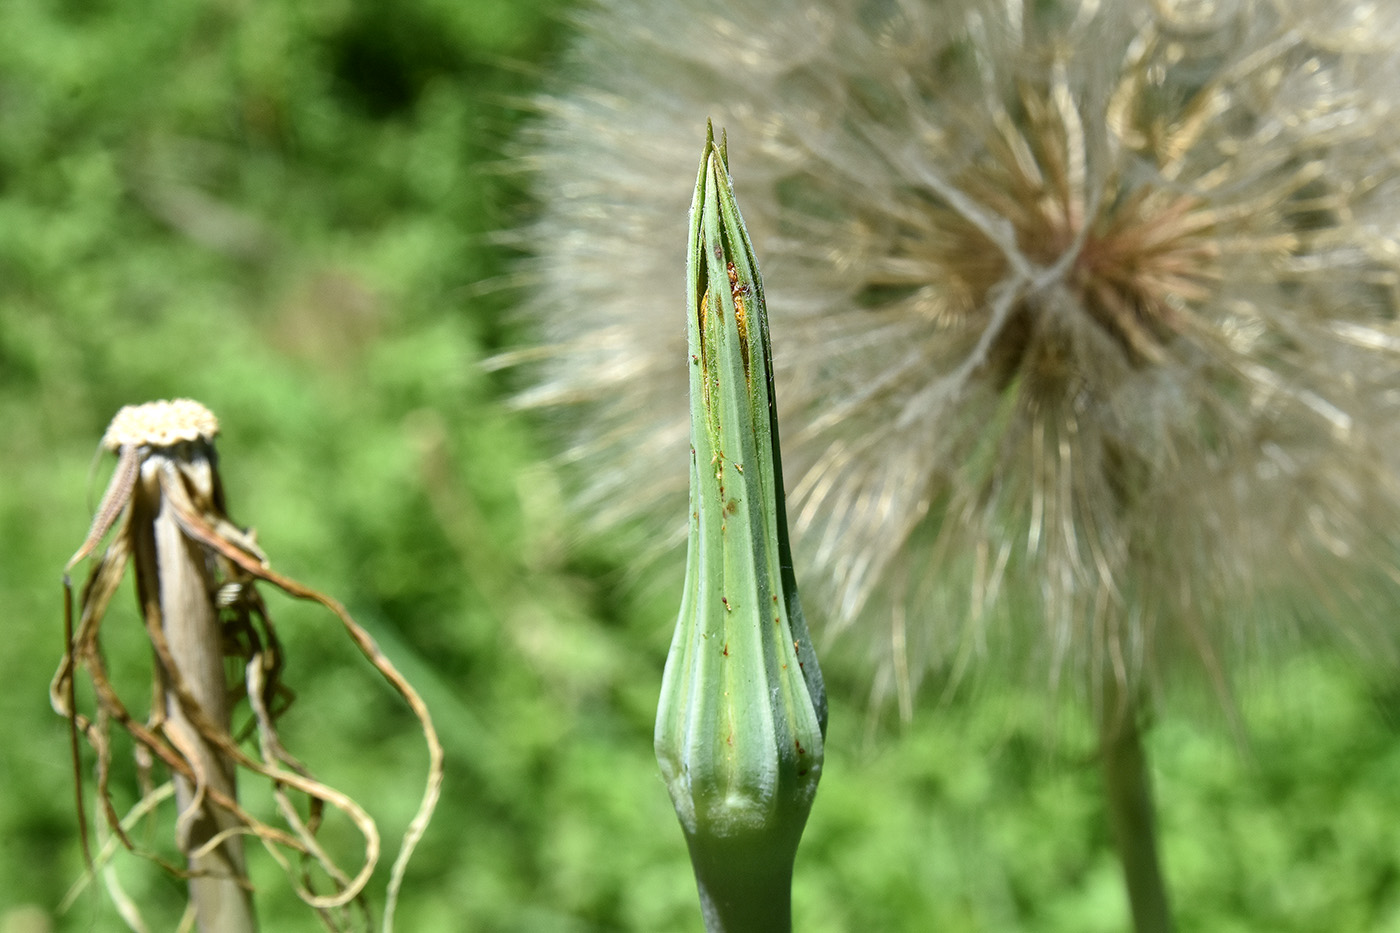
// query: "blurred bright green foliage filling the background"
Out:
[286,211]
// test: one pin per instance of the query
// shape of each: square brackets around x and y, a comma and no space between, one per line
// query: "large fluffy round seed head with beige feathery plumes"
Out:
[1091,355]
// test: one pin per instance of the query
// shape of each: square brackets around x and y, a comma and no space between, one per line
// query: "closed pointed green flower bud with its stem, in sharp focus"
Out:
[743,717]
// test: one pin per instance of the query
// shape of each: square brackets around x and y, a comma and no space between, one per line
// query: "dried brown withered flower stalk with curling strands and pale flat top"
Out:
[197,575]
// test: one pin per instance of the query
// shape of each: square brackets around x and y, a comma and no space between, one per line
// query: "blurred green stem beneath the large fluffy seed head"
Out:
[1132,816]
